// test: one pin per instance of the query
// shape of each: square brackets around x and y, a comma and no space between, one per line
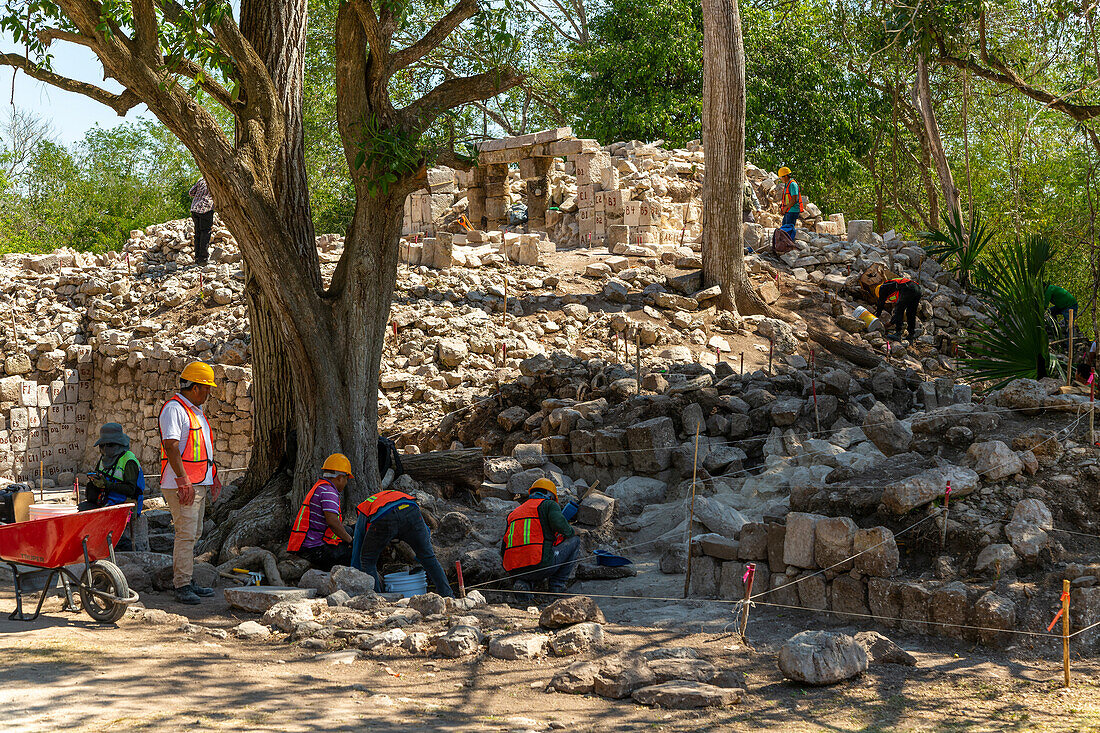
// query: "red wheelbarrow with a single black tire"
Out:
[52,544]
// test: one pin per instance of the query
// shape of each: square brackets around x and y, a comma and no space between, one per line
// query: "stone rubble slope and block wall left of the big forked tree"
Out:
[100,338]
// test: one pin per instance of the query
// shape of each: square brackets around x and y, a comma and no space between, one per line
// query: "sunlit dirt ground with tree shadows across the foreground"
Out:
[65,673]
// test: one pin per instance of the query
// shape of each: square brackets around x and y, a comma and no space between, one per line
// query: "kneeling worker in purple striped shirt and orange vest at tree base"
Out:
[318,534]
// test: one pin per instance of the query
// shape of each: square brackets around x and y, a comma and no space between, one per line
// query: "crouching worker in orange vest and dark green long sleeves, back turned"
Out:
[538,543]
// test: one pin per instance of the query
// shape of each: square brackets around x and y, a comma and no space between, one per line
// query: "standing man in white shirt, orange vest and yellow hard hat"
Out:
[188,473]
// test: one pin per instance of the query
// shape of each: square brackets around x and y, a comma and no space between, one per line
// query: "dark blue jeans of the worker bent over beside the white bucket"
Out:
[403,522]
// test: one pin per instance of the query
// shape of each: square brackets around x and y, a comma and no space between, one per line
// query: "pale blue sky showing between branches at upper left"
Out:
[70,115]
